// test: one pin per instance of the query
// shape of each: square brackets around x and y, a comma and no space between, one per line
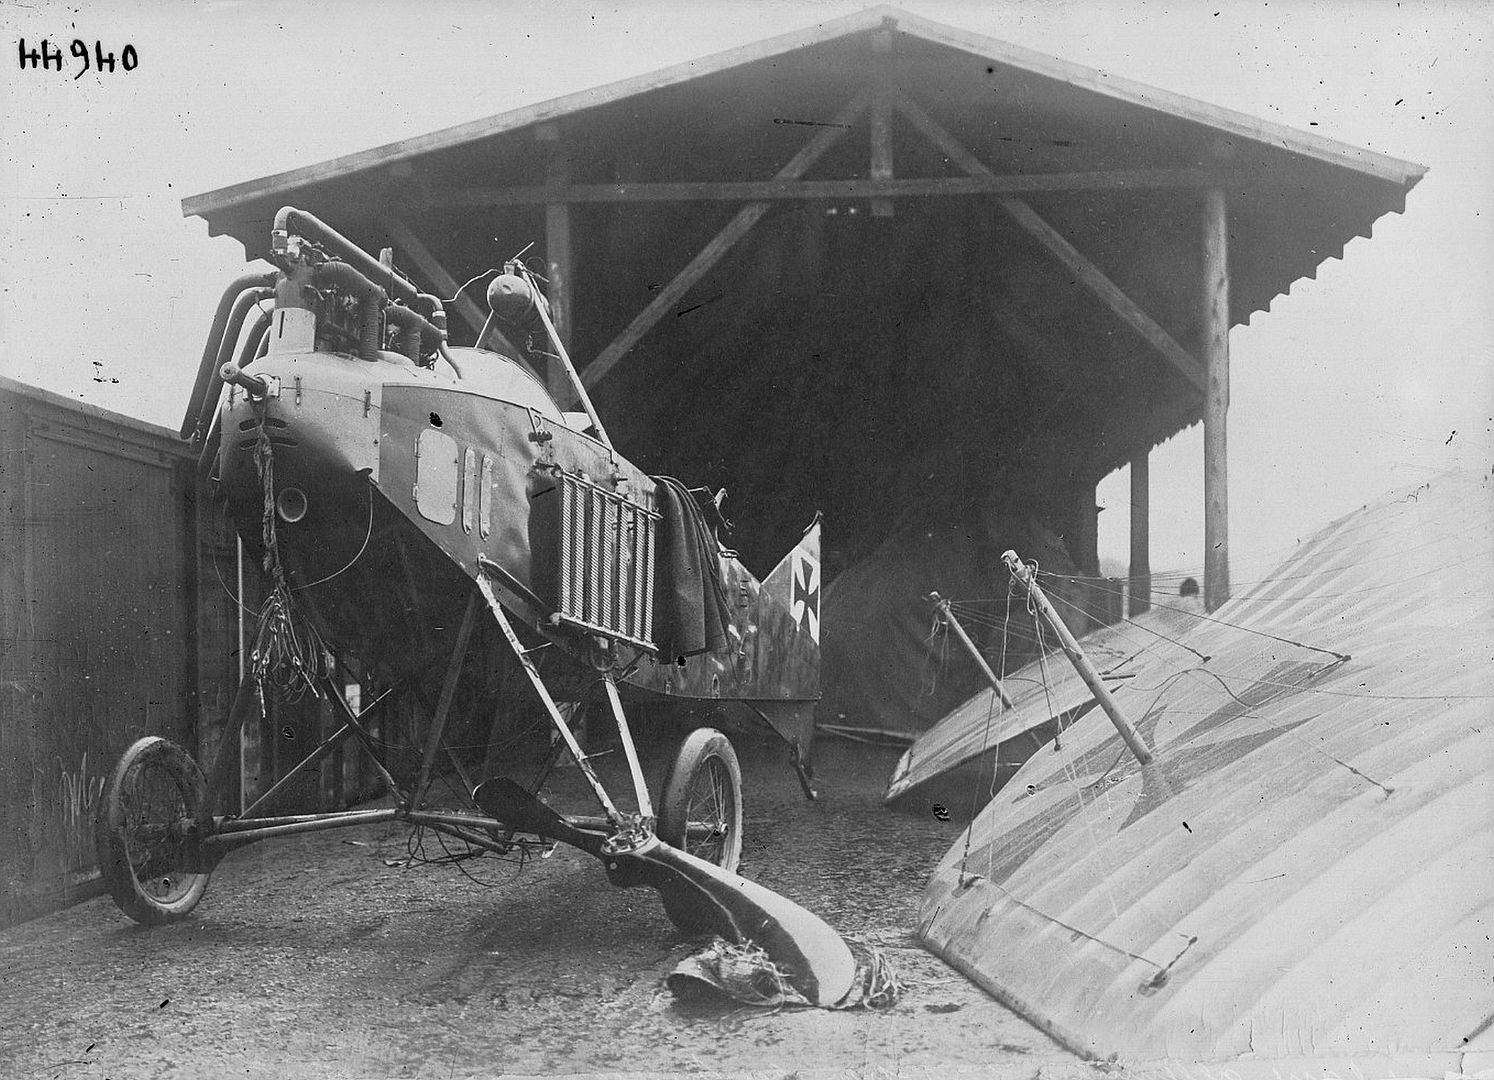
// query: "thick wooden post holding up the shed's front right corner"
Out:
[1217,398]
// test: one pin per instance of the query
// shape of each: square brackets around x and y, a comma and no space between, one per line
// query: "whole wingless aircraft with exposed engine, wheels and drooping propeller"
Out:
[441,527]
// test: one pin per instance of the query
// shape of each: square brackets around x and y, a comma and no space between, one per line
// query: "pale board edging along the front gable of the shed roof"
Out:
[1341,155]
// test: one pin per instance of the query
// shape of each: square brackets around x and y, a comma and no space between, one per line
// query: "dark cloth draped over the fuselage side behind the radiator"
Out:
[691,609]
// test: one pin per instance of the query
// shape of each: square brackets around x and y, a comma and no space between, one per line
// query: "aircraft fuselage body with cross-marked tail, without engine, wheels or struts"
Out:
[395,486]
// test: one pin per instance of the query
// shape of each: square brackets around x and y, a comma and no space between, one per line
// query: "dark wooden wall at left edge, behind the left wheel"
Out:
[98,604]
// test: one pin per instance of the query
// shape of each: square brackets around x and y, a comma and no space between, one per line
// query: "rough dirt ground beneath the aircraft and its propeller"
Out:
[316,958]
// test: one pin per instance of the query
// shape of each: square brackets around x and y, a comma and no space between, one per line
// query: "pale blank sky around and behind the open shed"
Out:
[1375,376]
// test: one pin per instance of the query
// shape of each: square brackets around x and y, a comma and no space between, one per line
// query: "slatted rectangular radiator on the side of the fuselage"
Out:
[607,562]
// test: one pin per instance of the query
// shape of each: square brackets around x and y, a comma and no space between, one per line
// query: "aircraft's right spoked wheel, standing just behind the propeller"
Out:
[704,785]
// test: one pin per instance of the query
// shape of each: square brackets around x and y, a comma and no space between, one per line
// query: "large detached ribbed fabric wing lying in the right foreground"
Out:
[1308,869]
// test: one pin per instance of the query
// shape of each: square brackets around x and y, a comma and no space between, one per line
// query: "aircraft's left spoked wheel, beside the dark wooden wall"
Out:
[155,786]
